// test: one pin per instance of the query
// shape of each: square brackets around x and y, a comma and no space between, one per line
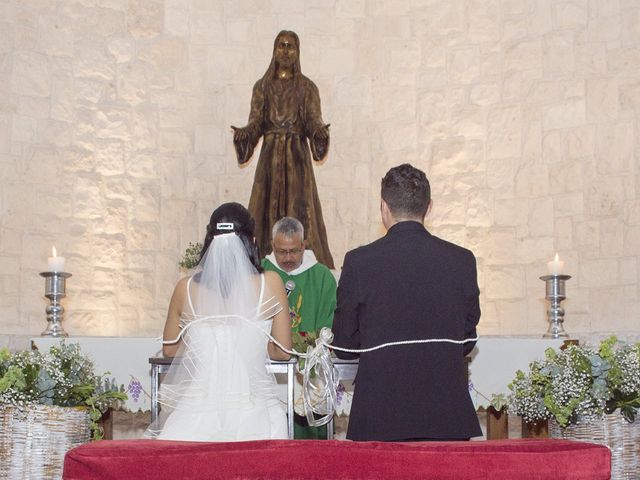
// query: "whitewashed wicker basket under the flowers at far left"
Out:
[33,441]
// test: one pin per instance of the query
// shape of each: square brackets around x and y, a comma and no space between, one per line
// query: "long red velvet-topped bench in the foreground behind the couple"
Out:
[334,459]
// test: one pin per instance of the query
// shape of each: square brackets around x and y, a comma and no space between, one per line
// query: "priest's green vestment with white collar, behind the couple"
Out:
[311,306]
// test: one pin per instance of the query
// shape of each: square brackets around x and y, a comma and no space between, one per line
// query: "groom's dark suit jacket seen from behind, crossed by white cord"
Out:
[409,285]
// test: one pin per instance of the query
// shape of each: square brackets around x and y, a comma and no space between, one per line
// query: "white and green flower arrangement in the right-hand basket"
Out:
[579,381]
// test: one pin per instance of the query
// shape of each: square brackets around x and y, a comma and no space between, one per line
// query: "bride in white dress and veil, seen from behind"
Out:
[217,388]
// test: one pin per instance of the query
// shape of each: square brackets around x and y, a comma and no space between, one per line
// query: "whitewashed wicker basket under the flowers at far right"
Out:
[622,438]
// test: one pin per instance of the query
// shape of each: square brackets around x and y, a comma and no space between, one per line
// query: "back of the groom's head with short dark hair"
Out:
[406,191]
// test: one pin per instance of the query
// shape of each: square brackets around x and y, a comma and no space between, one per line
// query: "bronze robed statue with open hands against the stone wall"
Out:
[285,110]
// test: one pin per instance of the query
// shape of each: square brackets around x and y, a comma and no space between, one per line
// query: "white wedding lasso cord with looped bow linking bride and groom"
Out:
[319,395]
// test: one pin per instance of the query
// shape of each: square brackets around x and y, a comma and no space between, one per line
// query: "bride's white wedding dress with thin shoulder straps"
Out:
[218,388]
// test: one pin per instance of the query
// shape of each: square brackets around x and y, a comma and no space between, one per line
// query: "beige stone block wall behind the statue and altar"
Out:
[115,142]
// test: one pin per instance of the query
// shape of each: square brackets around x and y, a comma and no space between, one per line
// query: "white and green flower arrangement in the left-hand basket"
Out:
[62,377]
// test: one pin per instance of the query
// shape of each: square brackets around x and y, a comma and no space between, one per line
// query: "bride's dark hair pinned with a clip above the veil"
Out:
[243,226]
